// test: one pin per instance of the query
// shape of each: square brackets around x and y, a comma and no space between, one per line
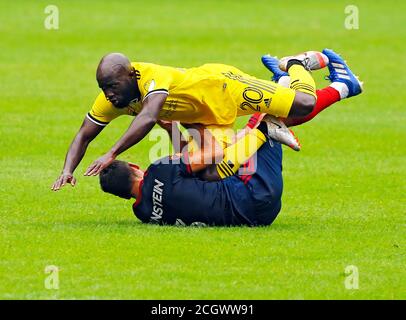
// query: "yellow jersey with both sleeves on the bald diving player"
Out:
[195,95]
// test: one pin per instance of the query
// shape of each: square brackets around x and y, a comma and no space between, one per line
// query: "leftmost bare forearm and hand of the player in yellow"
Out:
[87,132]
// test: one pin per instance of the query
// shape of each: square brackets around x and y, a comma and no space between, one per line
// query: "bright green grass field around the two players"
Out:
[344,193]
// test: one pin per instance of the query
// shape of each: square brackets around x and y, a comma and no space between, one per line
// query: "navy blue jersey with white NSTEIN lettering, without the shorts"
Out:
[170,194]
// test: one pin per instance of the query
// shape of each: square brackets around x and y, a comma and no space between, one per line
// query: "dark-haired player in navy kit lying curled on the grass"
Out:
[172,192]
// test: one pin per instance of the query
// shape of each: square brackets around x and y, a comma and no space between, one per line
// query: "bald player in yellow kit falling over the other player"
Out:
[212,95]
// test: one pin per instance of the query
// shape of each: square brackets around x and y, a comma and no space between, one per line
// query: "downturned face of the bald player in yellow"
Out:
[120,90]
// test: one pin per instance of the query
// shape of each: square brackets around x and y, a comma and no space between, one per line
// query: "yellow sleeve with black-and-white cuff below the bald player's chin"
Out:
[103,111]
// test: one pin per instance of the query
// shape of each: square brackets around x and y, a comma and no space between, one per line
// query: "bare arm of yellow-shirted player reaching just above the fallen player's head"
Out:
[138,129]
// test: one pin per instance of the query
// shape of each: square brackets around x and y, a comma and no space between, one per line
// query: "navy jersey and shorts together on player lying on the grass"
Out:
[170,194]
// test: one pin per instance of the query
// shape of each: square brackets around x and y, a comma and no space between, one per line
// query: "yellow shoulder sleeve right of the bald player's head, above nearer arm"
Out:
[155,79]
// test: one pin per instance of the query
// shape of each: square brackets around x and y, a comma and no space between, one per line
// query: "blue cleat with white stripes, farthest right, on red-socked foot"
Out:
[340,72]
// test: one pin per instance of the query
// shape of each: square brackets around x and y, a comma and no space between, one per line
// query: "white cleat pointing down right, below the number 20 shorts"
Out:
[278,131]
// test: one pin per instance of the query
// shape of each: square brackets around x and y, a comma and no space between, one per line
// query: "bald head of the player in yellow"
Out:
[116,77]
